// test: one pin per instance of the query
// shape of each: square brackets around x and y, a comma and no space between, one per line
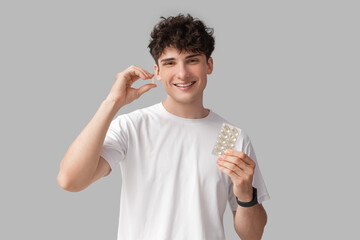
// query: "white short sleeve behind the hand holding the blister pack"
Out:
[258,181]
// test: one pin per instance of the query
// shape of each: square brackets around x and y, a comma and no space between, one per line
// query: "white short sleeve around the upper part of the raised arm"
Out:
[116,142]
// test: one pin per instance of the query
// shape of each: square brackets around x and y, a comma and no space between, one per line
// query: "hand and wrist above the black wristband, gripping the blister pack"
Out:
[240,168]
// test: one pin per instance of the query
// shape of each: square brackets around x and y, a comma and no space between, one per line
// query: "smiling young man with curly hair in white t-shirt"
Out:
[173,187]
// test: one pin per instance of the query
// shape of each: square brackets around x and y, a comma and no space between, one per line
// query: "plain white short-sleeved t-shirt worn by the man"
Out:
[171,186]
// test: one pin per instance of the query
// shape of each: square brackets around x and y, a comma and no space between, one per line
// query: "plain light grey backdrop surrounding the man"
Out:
[286,72]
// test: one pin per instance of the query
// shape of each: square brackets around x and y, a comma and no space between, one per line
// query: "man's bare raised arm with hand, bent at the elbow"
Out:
[82,164]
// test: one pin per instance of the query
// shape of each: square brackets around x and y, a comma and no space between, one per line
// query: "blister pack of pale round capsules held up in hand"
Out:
[227,138]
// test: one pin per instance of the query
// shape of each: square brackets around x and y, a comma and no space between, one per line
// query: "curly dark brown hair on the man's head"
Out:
[184,33]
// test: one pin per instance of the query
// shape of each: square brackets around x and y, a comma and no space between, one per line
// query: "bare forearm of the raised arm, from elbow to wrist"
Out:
[82,157]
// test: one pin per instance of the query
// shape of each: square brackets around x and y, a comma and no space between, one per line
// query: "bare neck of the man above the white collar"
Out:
[193,110]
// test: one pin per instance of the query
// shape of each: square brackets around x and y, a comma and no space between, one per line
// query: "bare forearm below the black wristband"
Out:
[250,222]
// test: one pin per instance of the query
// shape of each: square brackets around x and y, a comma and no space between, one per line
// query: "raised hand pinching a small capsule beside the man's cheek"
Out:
[122,93]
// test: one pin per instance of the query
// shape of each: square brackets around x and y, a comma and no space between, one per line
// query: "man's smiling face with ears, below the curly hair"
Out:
[184,75]
